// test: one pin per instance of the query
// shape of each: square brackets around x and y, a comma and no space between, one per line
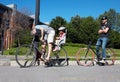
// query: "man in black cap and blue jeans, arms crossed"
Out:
[103,39]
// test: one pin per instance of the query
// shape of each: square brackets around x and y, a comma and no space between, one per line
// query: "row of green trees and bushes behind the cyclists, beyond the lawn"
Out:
[80,29]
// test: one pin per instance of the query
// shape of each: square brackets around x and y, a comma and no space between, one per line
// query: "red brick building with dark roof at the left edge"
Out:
[16,20]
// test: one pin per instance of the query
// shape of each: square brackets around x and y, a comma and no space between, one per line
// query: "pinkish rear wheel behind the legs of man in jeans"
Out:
[110,55]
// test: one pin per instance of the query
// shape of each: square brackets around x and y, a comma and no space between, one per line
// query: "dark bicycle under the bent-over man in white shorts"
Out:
[26,56]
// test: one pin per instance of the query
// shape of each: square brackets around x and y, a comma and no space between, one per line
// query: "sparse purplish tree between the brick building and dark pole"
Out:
[23,25]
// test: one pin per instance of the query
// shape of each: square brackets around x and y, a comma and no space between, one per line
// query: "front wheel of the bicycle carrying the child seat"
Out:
[25,56]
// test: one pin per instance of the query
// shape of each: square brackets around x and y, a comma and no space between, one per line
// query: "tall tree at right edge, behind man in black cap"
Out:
[114,35]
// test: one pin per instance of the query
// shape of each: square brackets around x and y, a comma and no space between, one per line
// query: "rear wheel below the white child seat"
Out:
[60,57]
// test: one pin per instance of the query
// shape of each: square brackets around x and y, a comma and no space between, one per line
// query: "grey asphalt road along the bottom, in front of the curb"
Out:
[71,73]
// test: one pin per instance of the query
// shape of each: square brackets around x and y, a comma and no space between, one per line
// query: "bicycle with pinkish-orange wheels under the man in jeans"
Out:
[87,56]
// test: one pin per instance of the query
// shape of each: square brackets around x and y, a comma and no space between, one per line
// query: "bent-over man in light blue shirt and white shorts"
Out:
[47,37]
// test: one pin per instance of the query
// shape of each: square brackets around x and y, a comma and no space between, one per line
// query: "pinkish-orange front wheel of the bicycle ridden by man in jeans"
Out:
[85,57]
